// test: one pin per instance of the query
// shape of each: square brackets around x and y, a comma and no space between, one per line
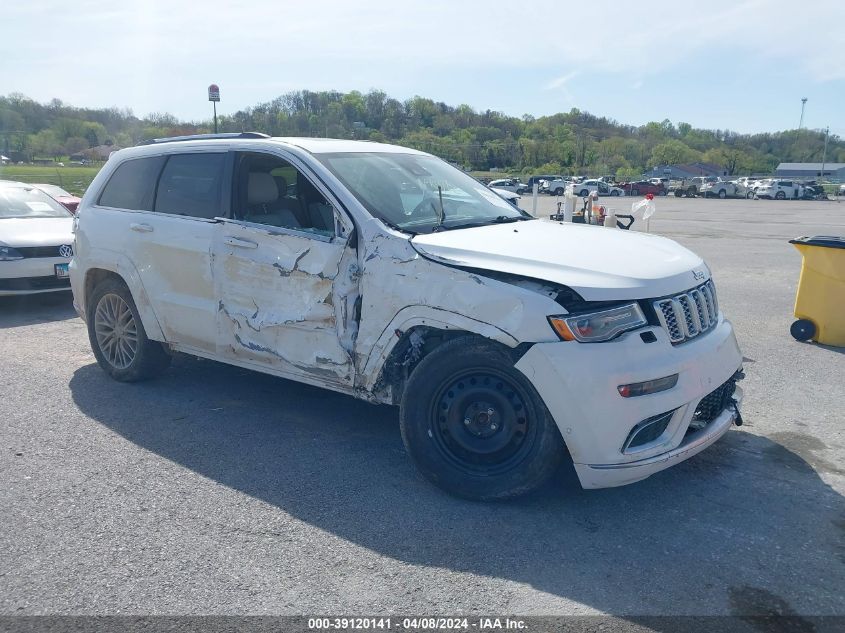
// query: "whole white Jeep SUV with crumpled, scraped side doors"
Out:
[384,273]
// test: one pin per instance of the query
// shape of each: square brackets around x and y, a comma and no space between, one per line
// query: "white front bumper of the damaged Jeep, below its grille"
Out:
[578,383]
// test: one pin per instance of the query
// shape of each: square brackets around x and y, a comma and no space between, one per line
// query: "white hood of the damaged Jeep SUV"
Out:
[599,264]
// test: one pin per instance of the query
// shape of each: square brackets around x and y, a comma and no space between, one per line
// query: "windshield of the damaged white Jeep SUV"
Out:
[418,193]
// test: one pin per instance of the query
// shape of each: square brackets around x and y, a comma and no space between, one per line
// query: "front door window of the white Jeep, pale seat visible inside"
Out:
[270,191]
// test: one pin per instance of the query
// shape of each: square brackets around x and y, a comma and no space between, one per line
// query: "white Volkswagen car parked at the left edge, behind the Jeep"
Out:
[36,238]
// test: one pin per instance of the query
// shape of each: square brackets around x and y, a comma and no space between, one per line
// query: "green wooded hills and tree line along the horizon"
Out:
[568,143]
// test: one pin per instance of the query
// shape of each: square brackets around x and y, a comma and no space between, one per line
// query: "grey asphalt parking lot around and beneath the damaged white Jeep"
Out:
[218,490]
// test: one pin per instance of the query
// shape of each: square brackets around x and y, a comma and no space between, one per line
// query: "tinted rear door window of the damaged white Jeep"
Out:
[190,185]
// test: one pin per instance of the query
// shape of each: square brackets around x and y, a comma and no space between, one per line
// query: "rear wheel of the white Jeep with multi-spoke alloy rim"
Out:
[131,356]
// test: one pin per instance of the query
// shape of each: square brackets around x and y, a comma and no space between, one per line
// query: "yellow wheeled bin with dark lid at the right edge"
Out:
[820,302]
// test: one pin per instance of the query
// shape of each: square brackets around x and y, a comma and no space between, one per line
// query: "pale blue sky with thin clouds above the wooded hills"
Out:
[741,65]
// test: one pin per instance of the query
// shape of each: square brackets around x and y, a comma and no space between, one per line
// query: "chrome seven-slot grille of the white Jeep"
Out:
[689,314]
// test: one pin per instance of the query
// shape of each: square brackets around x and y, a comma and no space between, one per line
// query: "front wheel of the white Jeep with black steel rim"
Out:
[475,426]
